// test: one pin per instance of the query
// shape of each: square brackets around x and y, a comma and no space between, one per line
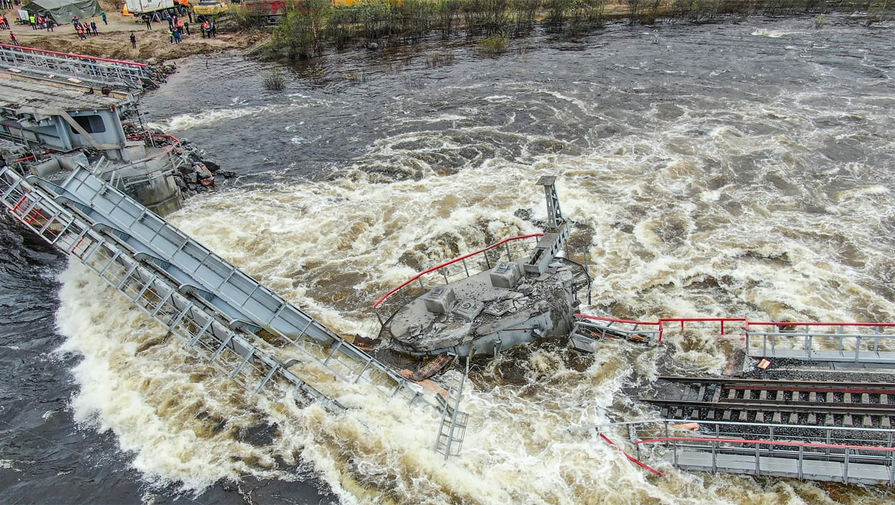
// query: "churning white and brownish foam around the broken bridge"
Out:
[726,209]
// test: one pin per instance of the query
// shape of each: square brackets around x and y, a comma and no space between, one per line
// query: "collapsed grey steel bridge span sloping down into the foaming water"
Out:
[251,333]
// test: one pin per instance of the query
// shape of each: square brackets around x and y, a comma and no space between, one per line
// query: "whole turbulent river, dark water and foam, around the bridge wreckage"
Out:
[716,170]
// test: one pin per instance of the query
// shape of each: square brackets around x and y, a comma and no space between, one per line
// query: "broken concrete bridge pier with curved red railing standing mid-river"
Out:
[491,300]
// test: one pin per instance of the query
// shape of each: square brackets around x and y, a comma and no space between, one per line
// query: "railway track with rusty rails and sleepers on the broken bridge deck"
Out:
[807,403]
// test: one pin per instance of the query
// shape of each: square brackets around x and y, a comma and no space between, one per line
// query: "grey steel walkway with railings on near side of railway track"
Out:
[823,453]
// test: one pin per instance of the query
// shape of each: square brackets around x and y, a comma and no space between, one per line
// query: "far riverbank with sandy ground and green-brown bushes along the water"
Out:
[298,35]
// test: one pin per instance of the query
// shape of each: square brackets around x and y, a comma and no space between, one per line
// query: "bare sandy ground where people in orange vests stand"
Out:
[113,40]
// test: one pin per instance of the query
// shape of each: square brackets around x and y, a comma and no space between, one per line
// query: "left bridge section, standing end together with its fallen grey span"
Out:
[63,108]
